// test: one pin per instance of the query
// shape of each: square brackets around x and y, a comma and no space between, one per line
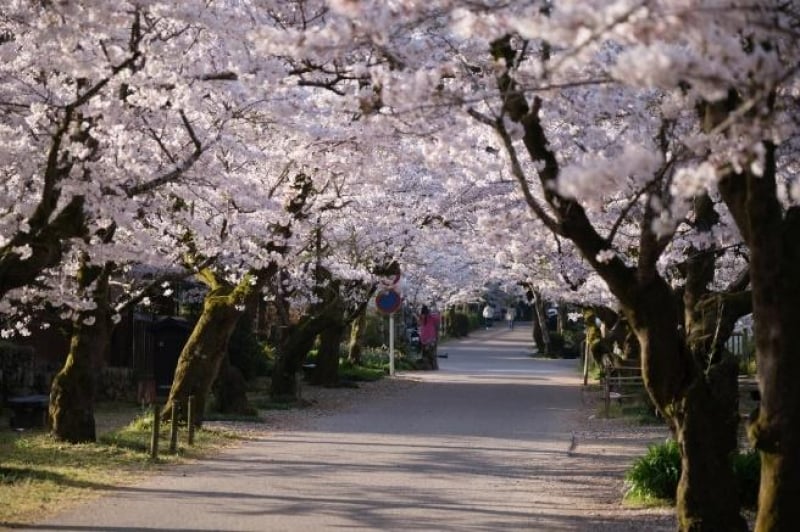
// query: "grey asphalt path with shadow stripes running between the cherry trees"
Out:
[482,444]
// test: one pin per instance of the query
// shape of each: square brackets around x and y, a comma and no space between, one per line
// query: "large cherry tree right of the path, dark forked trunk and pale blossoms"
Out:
[548,87]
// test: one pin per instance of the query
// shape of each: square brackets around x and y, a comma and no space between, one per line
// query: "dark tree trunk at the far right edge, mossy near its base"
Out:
[771,233]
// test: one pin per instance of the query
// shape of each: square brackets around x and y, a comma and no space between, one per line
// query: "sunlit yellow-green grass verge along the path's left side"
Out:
[39,475]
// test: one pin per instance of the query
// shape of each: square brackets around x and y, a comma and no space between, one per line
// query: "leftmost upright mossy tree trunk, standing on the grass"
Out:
[72,392]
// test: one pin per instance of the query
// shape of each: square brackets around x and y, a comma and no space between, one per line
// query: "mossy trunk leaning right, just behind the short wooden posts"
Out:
[200,359]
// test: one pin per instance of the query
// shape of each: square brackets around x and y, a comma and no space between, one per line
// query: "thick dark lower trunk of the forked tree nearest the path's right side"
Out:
[701,404]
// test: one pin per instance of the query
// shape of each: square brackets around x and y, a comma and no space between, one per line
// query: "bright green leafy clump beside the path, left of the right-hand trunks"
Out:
[655,475]
